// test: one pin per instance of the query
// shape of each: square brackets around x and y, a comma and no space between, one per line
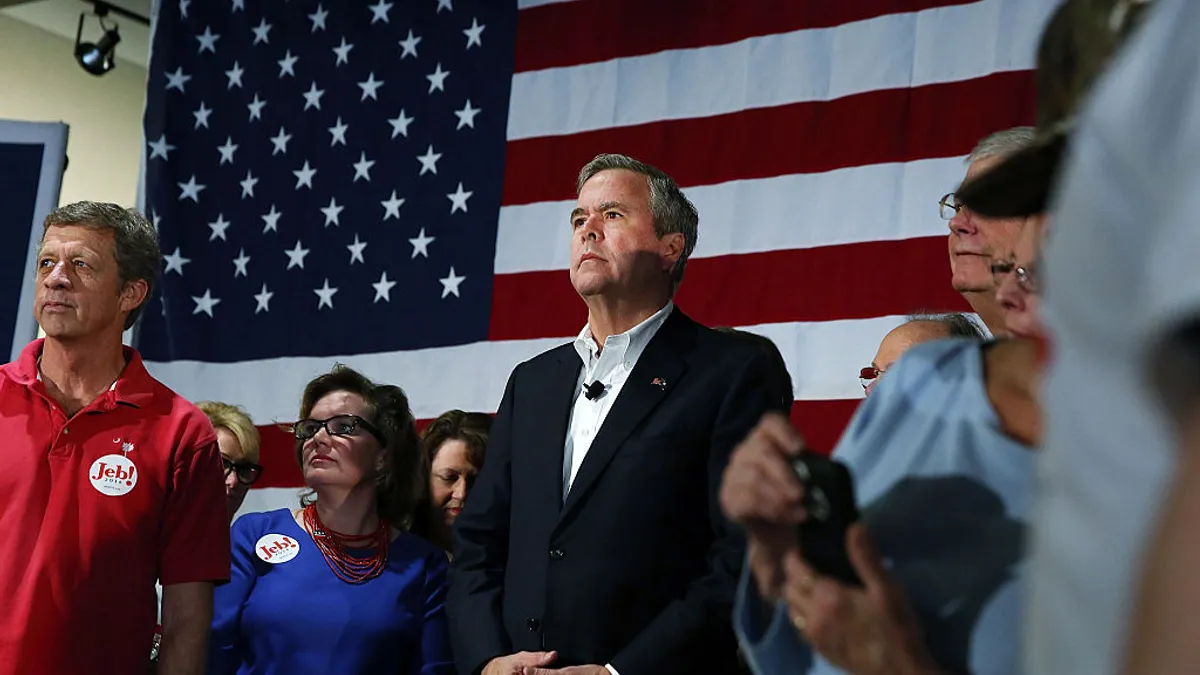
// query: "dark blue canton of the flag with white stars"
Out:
[326,177]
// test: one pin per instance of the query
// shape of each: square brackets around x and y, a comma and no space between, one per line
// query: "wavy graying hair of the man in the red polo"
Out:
[136,243]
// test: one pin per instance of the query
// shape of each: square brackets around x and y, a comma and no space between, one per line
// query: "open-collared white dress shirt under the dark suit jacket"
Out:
[610,367]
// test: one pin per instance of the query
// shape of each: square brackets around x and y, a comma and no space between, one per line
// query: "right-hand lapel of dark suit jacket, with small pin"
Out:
[652,380]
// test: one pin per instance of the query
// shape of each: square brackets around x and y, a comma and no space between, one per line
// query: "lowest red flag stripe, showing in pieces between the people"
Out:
[821,422]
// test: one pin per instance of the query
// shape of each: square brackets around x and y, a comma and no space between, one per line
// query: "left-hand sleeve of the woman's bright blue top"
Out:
[230,600]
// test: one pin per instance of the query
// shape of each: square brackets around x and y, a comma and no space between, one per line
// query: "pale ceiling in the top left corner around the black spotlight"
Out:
[62,17]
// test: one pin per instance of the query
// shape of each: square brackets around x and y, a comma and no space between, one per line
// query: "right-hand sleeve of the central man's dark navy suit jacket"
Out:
[700,619]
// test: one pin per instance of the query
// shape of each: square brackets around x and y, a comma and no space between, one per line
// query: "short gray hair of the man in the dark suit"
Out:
[671,211]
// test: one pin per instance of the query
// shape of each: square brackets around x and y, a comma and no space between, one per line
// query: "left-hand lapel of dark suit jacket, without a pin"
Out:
[550,432]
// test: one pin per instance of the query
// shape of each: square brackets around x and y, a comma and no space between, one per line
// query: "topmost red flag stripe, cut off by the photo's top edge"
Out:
[584,33]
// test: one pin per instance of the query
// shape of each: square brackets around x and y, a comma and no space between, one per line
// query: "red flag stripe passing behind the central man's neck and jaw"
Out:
[823,284]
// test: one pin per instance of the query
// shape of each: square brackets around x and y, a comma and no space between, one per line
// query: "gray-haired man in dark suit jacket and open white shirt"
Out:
[593,541]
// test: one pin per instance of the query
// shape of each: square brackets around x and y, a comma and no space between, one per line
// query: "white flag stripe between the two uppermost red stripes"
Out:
[890,52]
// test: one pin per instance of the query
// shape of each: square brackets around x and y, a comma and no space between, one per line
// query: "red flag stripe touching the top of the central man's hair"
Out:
[896,126]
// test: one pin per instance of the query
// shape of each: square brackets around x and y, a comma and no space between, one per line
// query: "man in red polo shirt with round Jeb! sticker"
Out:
[109,480]
